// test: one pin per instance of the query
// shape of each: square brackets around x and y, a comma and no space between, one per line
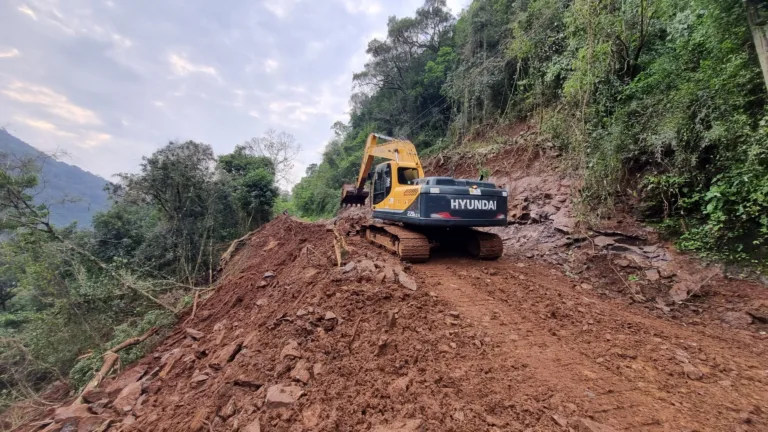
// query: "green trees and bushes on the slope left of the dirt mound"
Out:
[68,294]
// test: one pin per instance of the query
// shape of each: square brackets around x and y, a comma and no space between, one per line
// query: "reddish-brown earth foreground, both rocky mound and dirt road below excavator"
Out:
[291,342]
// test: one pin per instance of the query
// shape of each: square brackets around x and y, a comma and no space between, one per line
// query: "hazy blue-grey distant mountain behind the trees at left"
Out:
[73,195]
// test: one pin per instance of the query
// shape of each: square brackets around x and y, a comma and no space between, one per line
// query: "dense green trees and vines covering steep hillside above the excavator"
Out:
[667,91]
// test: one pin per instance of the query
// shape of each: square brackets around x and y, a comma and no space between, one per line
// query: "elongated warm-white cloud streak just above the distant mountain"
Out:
[55,103]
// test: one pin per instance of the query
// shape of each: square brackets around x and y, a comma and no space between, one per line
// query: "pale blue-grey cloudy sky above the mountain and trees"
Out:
[105,82]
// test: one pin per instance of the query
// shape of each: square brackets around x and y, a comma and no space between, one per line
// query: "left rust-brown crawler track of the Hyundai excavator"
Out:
[410,246]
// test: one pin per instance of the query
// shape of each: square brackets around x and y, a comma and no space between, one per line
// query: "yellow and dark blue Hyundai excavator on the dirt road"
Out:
[413,213]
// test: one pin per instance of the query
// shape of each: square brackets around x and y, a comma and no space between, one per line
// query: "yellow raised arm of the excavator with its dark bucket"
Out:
[400,151]
